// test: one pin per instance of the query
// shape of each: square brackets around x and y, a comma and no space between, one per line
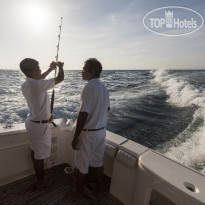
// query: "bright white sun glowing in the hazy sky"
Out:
[35,16]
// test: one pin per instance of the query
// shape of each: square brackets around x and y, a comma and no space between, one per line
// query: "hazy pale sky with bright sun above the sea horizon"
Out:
[110,30]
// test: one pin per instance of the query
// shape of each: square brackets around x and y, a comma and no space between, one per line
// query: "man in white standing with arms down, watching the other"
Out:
[89,137]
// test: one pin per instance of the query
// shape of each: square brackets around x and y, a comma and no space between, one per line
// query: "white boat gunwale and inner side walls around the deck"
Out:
[138,175]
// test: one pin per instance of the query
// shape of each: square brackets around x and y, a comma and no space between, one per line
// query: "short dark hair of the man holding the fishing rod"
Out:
[27,65]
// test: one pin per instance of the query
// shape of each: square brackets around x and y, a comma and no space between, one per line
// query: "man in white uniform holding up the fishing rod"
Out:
[34,90]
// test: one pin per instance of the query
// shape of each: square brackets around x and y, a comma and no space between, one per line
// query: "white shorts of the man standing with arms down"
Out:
[91,150]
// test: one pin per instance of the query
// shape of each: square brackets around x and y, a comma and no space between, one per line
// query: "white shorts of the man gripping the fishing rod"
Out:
[40,136]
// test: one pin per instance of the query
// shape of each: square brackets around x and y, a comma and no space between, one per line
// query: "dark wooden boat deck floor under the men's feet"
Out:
[22,192]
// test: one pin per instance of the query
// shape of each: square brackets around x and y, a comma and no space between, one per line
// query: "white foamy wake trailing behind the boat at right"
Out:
[188,146]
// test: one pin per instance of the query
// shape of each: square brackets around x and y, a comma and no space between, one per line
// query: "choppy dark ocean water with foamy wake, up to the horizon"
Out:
[163,110]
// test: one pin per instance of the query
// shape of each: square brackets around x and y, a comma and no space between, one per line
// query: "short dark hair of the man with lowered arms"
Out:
[94,64]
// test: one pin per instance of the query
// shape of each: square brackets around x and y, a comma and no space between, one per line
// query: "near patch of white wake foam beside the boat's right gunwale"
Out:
[188,147]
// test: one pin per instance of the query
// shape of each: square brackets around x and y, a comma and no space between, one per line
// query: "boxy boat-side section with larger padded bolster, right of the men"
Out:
[124,171]
